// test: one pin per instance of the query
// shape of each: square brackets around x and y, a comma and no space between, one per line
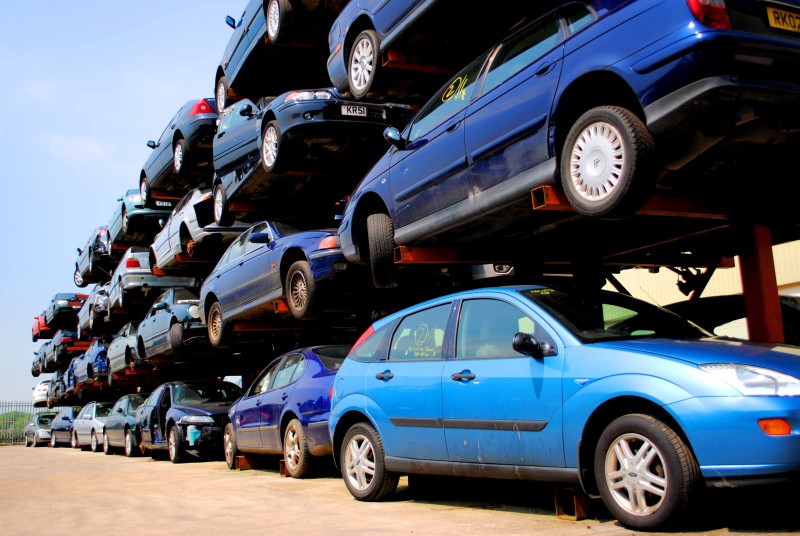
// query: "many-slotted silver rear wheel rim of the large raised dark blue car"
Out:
[598,161]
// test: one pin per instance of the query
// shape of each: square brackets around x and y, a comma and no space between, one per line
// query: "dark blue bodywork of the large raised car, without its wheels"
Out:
[497,139]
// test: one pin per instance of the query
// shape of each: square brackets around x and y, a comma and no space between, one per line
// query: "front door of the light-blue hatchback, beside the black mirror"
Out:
[501,407]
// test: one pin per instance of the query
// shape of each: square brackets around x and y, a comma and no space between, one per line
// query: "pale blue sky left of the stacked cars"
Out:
[83,85]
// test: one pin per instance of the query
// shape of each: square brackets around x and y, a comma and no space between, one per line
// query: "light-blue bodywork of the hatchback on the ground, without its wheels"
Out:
[650,360]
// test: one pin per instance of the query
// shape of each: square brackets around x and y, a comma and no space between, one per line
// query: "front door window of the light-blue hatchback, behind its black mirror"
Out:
[486,328]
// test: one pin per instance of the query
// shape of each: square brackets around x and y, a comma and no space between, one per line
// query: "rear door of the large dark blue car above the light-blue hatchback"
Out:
[507,124]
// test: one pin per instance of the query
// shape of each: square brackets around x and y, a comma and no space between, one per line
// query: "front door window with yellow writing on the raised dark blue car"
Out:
[453,98]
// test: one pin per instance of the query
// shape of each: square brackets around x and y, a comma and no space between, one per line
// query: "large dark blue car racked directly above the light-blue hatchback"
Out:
[602,96]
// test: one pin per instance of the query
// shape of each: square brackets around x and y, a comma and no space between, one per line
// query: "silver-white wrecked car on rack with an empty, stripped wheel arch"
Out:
[184,240]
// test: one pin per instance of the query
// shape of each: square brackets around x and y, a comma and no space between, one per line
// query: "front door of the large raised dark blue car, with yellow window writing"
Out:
[429,171]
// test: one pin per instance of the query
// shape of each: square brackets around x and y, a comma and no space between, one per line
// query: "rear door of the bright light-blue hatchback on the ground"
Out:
[405,390]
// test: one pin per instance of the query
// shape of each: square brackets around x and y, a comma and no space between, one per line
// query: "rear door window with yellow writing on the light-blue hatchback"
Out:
[420,335]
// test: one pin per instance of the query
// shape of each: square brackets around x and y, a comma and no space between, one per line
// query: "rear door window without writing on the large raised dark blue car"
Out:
[522,49]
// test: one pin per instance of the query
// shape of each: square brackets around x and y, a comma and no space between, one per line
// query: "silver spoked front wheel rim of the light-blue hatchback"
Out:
[636,475]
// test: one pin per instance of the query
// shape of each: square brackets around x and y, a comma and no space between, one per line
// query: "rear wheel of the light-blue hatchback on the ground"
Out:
[363,468]
